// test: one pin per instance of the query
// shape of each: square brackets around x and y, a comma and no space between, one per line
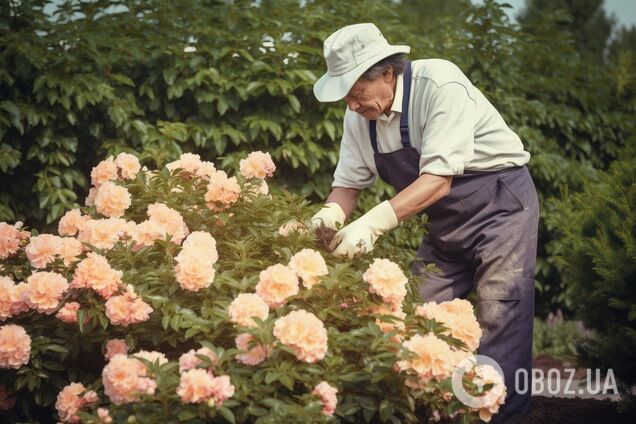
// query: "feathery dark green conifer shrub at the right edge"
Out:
[598,266]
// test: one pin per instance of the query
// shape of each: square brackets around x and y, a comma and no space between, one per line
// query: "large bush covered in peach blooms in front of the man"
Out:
[187,294]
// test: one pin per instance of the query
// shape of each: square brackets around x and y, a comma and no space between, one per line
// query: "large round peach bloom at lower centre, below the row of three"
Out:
[304,333]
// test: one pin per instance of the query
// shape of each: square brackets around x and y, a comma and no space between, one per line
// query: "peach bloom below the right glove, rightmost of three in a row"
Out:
[386,279]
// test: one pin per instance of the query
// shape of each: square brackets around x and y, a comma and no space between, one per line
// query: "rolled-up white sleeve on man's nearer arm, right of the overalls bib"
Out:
[449,132]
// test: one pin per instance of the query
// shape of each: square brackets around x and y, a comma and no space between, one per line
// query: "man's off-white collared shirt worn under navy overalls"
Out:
[451,124]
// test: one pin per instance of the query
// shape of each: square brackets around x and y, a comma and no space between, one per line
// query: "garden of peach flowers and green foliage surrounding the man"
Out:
[160,163]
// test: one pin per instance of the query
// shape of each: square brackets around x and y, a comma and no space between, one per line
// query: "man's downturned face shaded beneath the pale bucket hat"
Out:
[370,98]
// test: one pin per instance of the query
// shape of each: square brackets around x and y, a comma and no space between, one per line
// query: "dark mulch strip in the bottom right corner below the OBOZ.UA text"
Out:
[546,410]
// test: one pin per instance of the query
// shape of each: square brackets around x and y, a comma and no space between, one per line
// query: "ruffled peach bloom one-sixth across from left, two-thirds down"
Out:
[94,272]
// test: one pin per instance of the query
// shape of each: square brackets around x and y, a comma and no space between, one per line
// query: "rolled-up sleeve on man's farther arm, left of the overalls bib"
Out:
[351,171]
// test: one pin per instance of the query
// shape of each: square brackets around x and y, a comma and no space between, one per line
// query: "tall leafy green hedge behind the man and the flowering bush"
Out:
[101,77]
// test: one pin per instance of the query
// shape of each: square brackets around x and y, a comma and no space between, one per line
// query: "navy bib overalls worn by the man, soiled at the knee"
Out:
[482,235]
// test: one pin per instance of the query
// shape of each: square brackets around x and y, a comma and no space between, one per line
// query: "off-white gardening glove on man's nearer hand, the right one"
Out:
[361,234]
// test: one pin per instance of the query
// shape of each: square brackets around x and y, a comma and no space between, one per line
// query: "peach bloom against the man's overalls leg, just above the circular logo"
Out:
[458,317]
